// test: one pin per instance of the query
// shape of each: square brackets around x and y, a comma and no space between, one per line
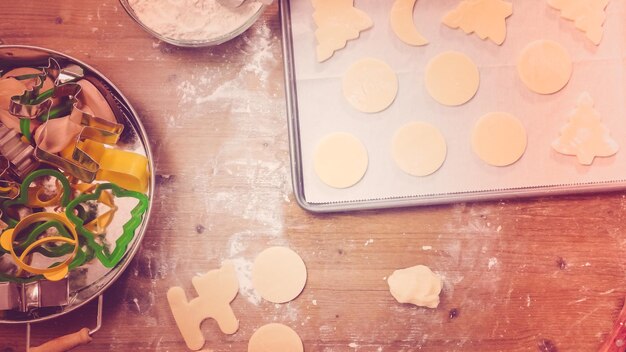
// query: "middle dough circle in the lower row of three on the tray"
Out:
[419,148]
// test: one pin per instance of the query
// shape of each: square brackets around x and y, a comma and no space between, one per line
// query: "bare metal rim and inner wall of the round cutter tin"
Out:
[134,136]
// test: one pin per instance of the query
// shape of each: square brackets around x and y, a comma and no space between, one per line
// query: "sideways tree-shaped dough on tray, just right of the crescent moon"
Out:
[486,18]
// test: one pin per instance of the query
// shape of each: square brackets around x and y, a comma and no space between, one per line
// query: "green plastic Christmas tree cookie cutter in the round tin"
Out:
[111,259]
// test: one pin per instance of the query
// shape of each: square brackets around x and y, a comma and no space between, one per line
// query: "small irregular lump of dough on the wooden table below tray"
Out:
[417,285]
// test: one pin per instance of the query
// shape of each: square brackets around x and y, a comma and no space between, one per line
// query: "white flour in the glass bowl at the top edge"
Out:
[193,19]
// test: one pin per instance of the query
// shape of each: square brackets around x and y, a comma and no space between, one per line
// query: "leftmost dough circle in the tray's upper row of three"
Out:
[370,85]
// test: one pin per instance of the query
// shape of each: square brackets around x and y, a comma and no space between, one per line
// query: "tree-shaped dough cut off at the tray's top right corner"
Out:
[588,15]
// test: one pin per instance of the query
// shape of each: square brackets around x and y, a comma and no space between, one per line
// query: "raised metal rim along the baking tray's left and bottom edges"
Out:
[291,93]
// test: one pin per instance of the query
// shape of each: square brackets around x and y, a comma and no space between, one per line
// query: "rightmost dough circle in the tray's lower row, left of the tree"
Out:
[499,139]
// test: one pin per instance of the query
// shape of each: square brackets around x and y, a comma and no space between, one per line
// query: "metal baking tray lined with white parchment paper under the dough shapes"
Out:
[316,107]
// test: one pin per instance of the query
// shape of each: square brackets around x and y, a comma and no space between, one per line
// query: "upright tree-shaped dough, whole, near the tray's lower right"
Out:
[585,135]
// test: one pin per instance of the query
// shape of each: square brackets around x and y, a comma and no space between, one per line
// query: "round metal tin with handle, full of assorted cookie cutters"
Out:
[76,176]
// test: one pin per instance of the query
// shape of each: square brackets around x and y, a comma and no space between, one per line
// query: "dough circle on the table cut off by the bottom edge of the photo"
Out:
[275,337]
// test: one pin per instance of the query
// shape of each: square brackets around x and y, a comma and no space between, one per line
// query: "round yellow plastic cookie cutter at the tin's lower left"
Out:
[54,273]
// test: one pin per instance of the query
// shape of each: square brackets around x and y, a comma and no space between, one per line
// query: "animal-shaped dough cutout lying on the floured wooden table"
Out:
[216,289]
